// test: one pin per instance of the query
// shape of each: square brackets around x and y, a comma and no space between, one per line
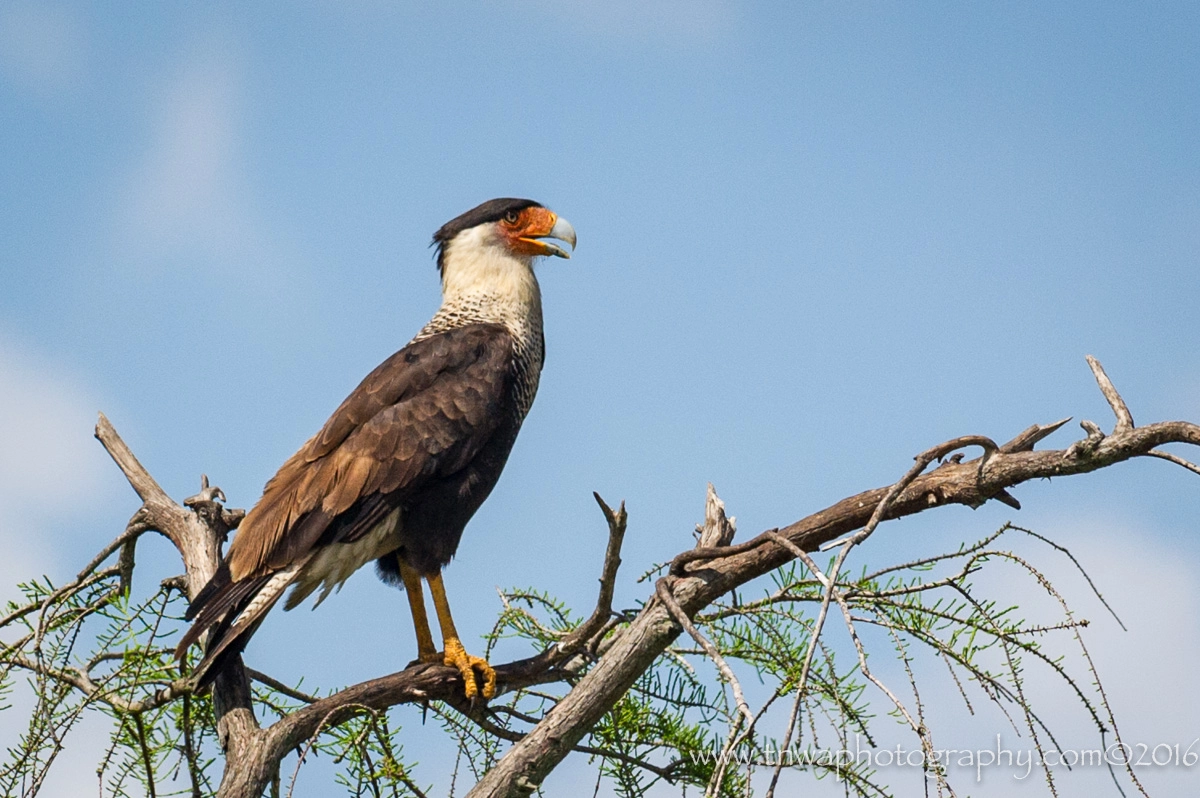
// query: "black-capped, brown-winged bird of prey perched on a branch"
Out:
[404,464]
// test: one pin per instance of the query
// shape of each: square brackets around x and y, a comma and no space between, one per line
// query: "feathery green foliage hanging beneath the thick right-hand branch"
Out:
[680,722]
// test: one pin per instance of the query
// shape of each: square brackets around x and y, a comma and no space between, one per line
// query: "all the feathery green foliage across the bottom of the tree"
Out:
[91,647]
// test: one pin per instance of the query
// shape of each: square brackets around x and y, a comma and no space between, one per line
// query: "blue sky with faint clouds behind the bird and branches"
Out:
[814,241]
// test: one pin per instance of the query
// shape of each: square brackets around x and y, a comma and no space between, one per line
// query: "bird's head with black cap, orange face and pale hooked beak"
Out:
[499,232]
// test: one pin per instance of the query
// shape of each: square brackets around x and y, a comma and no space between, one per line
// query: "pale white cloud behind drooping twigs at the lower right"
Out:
[1147,673]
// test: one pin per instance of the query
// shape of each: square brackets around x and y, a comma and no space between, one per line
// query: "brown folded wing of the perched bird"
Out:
[424,413]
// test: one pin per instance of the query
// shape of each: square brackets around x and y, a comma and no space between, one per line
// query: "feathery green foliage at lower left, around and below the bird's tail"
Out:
[89,647]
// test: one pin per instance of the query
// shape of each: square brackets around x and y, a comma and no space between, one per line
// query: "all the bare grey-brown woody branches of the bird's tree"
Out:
[697,579]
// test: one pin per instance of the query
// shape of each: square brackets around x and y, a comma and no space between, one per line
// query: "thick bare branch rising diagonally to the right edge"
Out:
[701,577]
